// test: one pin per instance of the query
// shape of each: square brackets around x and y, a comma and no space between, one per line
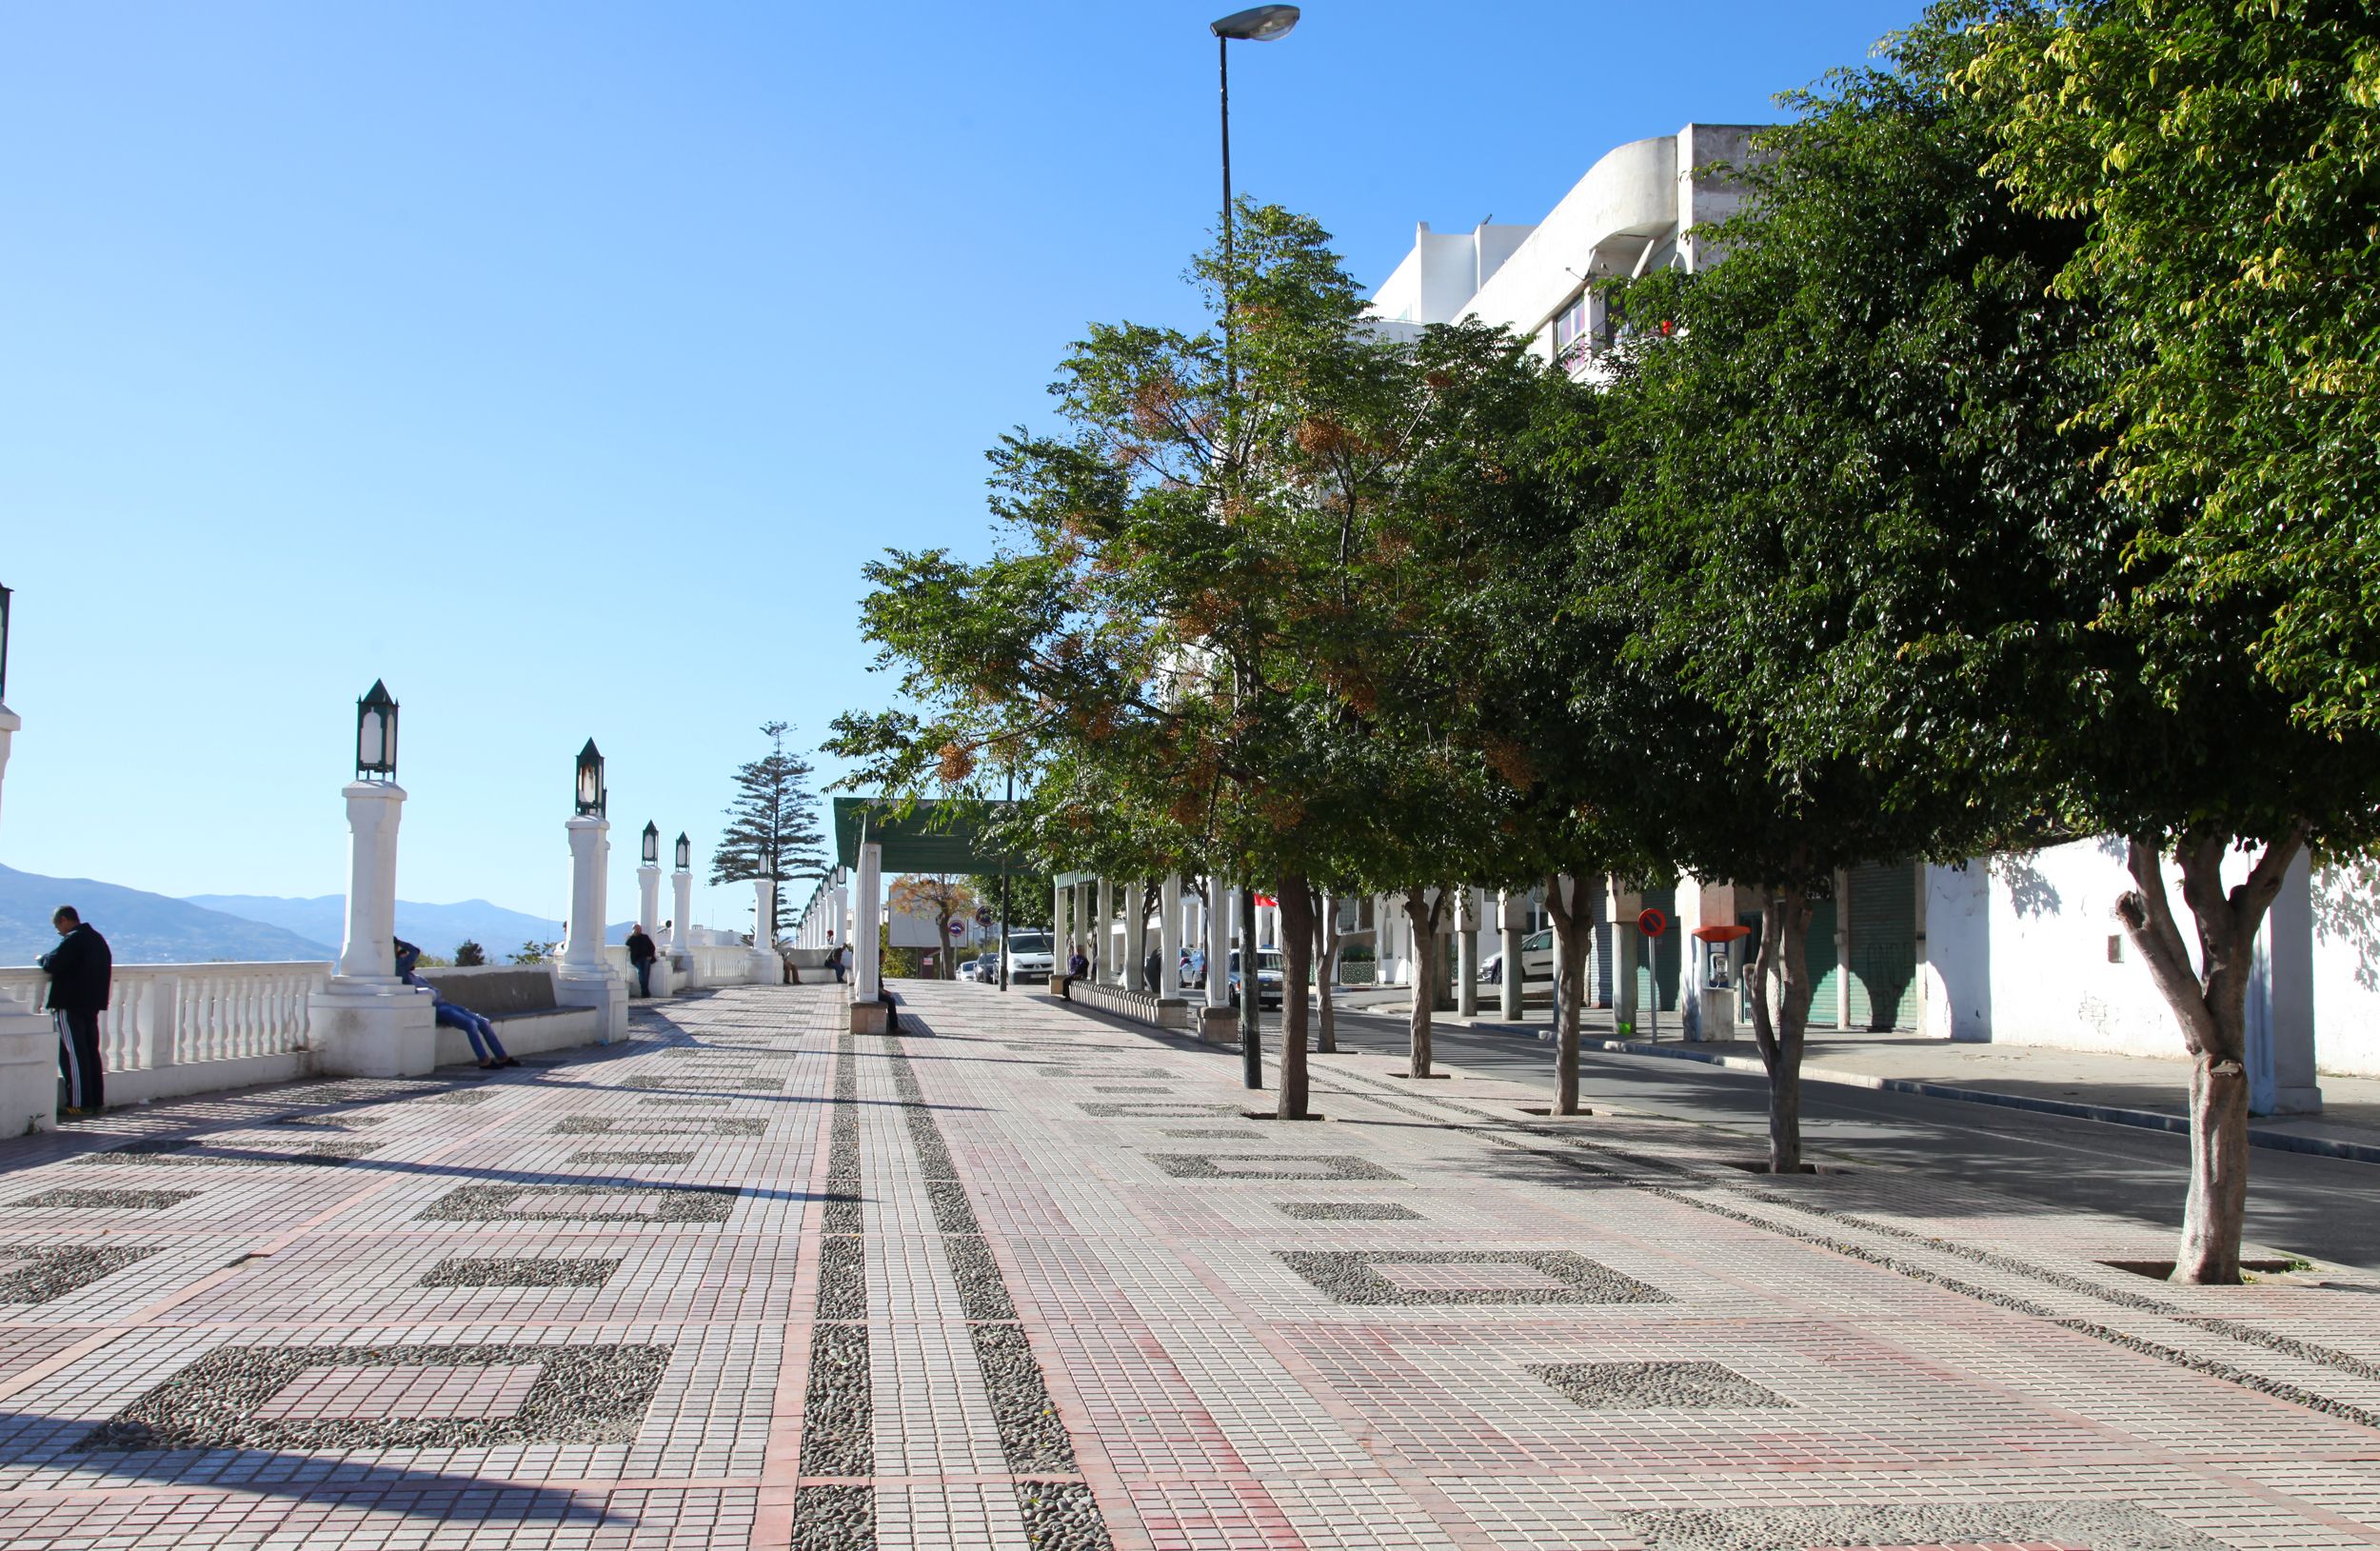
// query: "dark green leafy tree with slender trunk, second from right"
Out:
[1858,544]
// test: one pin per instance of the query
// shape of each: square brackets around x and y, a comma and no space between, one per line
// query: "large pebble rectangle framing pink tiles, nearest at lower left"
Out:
[584,1395]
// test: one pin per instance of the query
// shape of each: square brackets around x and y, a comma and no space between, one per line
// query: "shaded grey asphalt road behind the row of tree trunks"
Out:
[2324,1210]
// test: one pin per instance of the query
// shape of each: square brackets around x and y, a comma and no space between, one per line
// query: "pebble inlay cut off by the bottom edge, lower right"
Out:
[2103,1526]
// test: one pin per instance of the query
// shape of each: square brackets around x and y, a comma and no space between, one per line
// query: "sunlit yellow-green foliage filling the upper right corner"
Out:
[2222,156]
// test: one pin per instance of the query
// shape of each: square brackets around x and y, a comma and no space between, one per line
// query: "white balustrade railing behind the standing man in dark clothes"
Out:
[182,1015]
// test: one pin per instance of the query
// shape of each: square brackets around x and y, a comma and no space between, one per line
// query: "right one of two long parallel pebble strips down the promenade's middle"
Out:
[1060,1517]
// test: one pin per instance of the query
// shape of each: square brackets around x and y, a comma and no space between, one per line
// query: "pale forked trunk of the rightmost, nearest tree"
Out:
[2210,1003]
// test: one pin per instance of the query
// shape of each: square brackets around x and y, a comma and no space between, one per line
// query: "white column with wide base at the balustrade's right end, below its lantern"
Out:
[365,1022]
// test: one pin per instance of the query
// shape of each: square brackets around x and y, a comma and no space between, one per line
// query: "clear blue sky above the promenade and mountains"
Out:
[563,363]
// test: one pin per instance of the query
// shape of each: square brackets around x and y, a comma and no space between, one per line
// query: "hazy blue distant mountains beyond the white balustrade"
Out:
[203,929]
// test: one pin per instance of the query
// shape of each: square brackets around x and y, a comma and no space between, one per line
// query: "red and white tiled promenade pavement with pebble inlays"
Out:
[751,1281]
